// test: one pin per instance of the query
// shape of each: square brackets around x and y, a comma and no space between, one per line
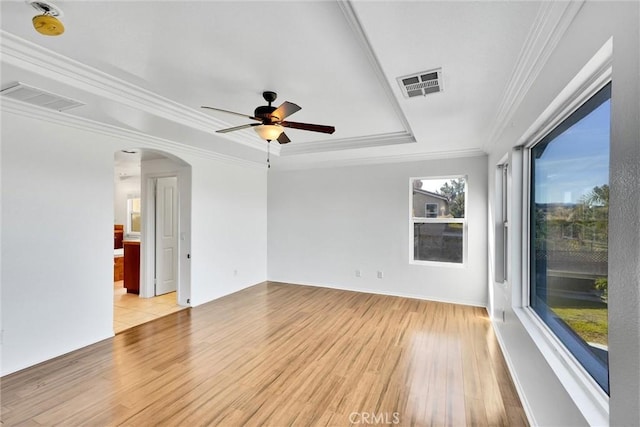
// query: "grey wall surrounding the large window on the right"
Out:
[543,394]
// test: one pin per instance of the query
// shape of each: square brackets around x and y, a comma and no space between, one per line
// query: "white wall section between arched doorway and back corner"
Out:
[229,228]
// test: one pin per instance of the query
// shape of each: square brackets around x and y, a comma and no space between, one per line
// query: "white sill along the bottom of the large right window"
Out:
[589,398]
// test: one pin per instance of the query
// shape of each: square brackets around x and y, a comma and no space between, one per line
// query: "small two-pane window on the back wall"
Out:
[438,219]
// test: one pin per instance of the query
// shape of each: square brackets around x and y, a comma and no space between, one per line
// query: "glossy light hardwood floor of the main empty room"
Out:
[278,354]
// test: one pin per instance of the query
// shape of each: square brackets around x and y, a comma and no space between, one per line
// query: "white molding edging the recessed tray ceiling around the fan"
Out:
[34,58]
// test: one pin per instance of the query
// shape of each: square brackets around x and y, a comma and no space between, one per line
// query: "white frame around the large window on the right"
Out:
[587,394]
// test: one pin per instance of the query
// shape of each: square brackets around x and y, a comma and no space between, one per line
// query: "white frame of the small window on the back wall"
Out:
[424,220]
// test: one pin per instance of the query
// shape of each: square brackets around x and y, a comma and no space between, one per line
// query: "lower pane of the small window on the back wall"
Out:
[440,242]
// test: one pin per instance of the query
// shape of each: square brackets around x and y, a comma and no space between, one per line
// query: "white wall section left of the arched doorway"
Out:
[57,240]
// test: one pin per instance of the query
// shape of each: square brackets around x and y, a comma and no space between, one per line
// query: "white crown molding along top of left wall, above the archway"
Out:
[140,139]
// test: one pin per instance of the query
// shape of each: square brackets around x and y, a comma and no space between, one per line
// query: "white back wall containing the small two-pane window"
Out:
[326,223]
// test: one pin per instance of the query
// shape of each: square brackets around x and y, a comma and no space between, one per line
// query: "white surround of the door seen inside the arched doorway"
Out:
[164,169]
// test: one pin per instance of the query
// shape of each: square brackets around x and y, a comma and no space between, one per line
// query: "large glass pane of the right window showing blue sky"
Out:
[569,231]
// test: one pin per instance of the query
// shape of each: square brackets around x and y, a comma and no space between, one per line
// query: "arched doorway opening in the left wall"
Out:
[152,199]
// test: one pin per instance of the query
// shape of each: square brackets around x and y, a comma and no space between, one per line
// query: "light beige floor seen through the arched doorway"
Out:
[130,310]
